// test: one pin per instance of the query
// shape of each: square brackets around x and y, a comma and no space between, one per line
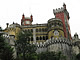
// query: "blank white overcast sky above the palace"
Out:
[42,10]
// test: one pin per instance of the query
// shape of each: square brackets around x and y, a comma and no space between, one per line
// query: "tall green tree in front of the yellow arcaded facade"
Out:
[22,44]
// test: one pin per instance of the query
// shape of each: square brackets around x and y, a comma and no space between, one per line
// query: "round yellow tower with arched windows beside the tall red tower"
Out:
[55,28]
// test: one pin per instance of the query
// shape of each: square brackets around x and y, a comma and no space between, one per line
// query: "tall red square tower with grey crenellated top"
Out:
[62,13]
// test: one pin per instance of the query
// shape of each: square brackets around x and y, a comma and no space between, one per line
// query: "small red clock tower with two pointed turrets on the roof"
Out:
[26,20]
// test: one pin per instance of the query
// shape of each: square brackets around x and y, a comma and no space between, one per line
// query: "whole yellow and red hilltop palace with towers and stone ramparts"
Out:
[53,36]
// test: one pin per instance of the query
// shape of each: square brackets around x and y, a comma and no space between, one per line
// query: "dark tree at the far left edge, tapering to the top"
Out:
[6,52]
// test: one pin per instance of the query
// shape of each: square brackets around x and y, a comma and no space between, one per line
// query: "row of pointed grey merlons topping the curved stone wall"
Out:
[53,41]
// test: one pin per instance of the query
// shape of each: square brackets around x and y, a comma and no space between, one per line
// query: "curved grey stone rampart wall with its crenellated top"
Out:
[55,44]
